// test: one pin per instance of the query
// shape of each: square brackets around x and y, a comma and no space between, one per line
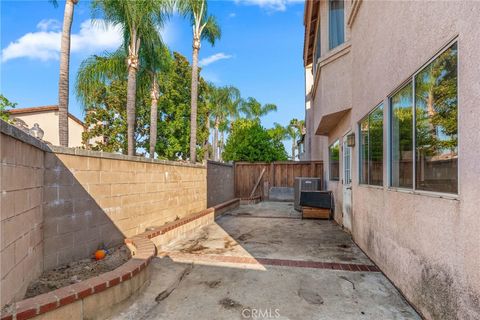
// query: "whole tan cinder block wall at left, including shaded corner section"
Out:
[59,204]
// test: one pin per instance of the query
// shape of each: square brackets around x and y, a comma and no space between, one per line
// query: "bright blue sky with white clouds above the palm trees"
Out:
[260,51]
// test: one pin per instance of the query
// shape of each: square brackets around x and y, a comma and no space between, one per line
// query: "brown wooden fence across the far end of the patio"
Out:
[275,174]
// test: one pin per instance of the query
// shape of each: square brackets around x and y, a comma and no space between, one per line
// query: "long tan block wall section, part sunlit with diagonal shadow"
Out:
[94,198]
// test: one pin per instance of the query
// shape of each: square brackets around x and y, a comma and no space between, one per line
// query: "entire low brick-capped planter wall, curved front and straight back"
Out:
[101,296]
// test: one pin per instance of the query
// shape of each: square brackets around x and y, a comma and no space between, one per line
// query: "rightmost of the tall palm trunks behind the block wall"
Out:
[194,98]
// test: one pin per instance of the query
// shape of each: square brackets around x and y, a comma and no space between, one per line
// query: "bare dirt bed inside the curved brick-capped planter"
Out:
[77,271]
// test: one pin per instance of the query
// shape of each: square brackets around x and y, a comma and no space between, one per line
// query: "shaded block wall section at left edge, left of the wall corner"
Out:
[21,186]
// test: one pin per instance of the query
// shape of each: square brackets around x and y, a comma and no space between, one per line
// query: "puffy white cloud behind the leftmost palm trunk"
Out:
[45,44]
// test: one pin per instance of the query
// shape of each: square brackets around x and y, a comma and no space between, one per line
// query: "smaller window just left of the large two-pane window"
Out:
[371,147]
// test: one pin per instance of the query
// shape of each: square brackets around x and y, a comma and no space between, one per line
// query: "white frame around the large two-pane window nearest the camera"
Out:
[411,79]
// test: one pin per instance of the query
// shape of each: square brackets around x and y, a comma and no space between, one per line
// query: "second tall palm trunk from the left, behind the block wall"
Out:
[132,91]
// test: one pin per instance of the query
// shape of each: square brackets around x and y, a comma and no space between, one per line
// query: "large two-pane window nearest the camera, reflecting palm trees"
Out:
[423,128]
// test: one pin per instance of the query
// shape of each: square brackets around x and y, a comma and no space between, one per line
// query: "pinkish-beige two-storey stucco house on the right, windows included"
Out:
[392,108]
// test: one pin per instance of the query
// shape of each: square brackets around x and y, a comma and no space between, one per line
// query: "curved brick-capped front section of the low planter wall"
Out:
[95,298]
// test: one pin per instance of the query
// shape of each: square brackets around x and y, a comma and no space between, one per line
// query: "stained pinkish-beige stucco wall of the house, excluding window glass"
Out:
[427,244]
